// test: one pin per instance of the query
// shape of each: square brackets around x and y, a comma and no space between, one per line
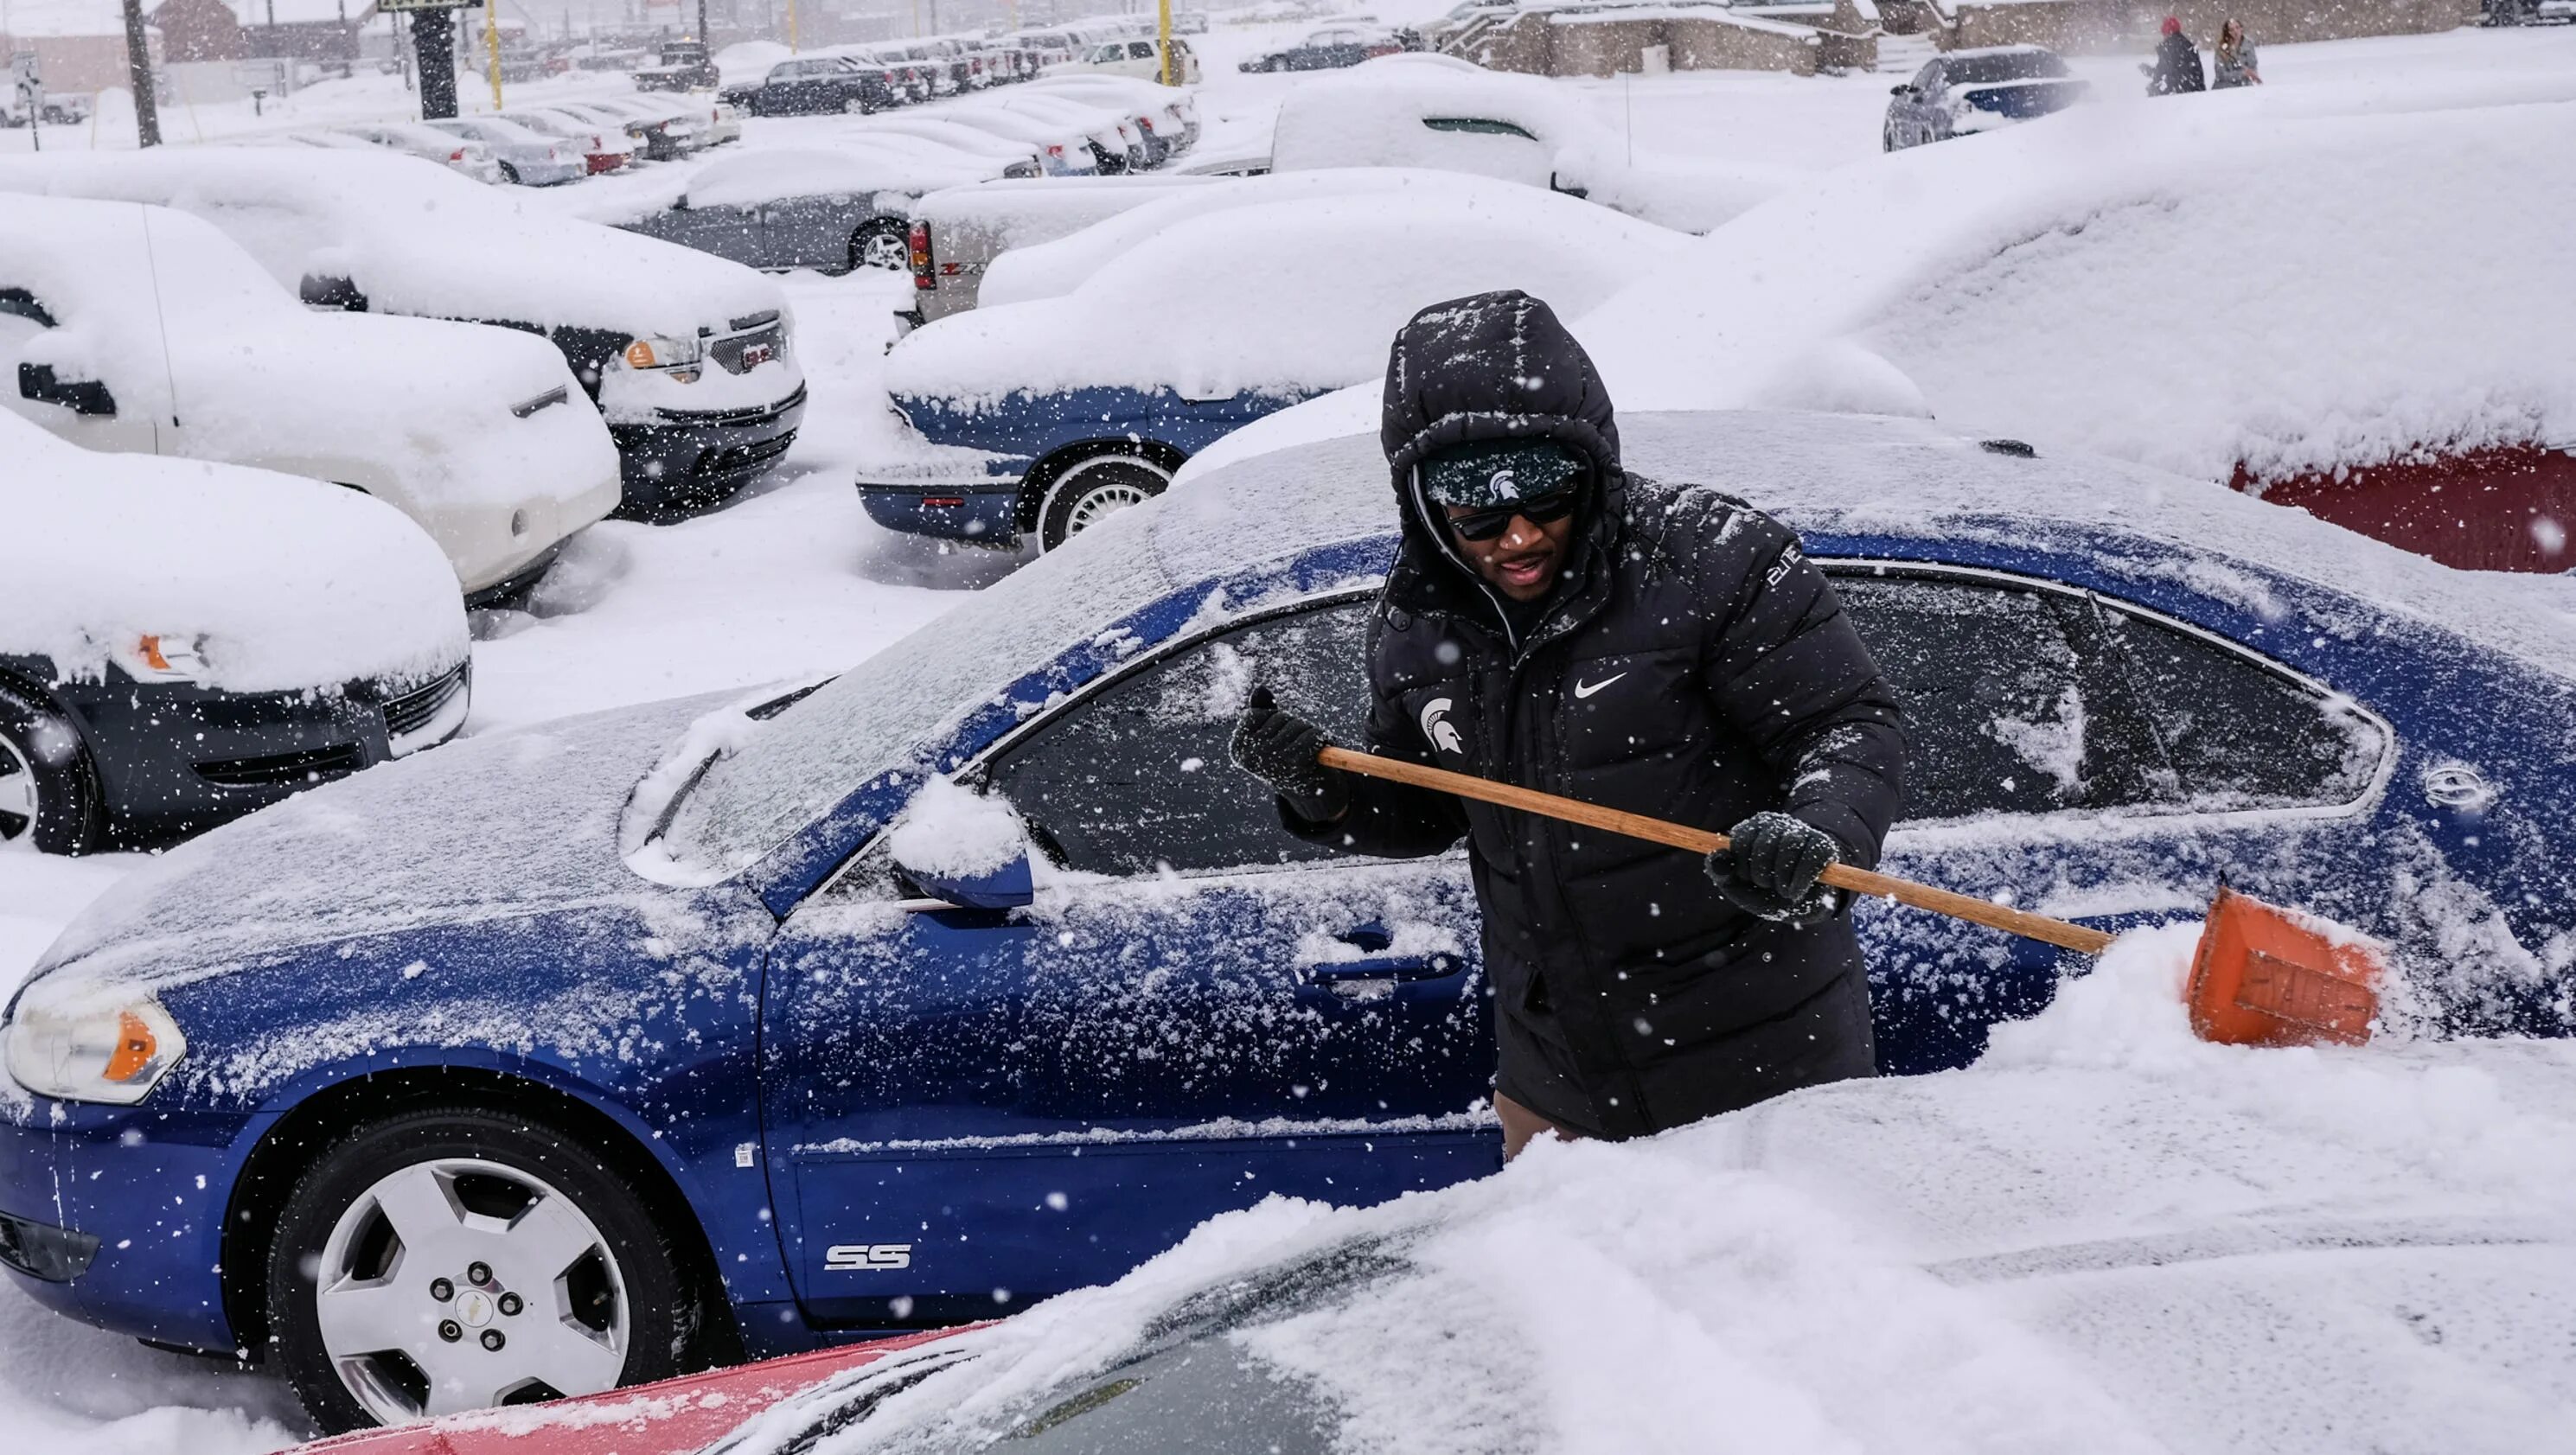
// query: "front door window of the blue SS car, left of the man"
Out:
[1135,779]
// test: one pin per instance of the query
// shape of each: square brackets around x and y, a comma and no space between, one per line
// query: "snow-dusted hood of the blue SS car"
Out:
[488,828]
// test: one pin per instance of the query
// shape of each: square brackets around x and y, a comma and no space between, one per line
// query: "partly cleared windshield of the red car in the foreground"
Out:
[1197,1366]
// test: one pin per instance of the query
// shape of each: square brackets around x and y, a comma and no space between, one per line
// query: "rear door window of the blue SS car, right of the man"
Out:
[2005,709]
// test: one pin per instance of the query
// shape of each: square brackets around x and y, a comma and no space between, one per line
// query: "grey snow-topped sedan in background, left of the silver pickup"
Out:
[838,210]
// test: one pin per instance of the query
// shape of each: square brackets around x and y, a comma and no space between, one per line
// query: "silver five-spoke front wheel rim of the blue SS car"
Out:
[462,1284]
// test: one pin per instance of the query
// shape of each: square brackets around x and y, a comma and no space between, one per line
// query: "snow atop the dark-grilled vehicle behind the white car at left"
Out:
[419,238]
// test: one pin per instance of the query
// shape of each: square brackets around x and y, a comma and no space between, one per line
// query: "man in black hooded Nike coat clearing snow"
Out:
[1570,627]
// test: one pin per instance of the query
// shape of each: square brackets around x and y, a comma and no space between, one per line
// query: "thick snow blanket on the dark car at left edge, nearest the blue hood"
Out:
[285,581]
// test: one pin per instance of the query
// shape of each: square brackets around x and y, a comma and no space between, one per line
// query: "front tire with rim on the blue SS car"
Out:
[576,1276]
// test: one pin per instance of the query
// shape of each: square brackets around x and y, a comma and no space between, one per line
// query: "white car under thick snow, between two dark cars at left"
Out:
[146,331]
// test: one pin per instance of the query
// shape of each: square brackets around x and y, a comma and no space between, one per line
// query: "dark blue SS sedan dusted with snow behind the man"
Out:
[565,1057]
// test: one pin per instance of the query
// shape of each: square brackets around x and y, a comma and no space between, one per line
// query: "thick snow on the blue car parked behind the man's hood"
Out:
[1173,310]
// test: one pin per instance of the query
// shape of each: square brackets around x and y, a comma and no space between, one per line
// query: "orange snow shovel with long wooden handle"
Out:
[2263,975]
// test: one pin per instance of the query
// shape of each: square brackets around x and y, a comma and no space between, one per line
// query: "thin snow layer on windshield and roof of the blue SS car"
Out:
[1820,473]
